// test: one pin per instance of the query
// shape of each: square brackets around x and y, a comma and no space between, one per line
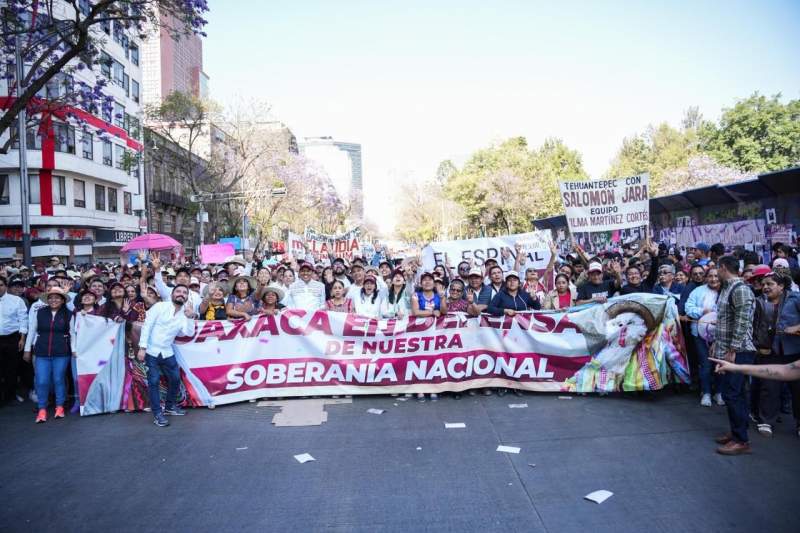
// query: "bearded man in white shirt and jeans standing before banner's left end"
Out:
[164,322]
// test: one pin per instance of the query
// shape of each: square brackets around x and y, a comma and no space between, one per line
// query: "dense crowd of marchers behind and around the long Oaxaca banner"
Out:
[733,308]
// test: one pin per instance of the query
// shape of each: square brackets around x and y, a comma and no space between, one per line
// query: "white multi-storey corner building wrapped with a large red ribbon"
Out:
[97,189]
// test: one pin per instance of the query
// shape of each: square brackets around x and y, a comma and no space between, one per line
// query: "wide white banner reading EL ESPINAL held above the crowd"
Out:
[535,246]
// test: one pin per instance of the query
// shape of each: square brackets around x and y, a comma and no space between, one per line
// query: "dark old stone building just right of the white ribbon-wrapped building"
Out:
[169,209]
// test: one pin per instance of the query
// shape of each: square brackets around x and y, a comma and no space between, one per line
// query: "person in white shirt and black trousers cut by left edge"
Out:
[13,329]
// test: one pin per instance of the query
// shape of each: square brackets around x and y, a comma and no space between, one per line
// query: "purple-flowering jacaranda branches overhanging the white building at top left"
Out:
[61,43]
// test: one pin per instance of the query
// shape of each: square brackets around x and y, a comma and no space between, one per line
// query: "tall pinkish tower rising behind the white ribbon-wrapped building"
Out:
[172,65]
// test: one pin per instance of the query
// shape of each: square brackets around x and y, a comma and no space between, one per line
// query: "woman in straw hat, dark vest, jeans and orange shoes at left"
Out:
[49,343]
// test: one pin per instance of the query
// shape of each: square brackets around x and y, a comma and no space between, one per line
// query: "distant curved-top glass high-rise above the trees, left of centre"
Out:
[342,162]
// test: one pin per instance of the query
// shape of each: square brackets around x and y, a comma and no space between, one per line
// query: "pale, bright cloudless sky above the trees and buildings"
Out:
[418,82]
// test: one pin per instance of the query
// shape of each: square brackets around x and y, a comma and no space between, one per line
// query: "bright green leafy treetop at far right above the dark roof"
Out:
[756,134]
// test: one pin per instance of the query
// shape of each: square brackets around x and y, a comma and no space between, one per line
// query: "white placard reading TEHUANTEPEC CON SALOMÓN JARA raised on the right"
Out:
[606,205]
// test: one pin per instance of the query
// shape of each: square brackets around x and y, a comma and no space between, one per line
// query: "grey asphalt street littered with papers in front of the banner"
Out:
[230,469]
